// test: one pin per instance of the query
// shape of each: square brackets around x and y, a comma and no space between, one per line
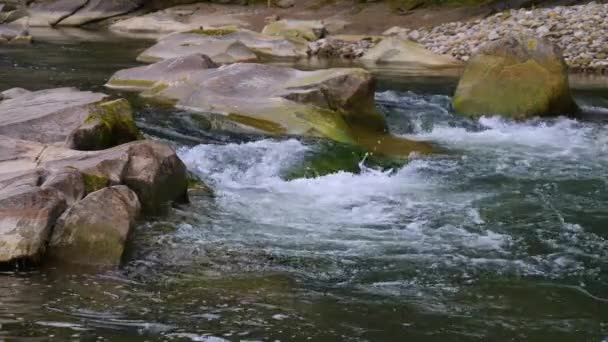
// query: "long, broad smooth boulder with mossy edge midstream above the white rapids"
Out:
[337,104]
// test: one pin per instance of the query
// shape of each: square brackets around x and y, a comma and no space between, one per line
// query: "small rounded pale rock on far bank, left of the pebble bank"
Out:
[298,30]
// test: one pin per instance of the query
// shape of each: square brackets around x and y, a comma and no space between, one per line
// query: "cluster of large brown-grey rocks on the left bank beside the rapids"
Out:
[64,154]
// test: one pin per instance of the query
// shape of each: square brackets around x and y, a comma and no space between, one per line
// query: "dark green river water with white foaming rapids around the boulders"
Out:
[502,237]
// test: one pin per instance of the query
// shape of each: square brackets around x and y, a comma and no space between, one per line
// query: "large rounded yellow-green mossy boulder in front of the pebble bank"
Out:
[517,77]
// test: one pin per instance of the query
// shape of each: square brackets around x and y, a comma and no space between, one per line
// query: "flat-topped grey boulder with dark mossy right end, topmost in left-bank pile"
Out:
[78,119]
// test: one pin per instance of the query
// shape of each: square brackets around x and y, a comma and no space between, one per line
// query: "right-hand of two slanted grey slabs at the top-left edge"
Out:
[96,10]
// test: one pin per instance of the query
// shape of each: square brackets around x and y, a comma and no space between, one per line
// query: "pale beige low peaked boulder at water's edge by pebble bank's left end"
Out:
[407,54]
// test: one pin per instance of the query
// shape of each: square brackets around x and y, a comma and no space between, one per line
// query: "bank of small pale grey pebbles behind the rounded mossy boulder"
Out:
[580,31]
